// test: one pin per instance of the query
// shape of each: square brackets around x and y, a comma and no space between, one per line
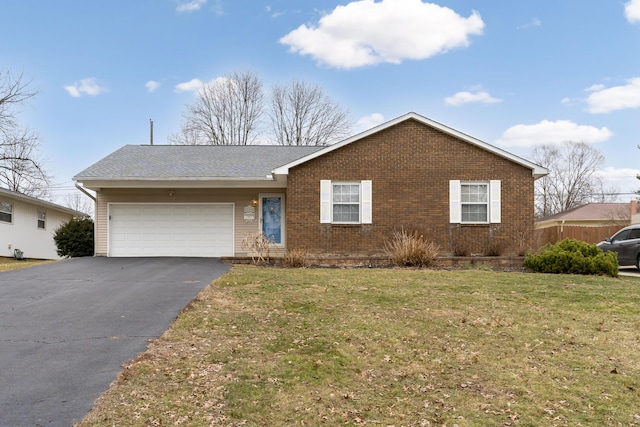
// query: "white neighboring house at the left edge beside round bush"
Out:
[28,224]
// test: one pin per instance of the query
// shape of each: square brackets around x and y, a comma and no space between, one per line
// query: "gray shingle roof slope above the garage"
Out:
[165,162]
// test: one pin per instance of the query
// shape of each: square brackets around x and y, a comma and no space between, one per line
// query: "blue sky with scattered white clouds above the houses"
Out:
[511,73]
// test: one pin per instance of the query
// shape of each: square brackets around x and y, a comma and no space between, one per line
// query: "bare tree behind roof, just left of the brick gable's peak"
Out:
[301,114]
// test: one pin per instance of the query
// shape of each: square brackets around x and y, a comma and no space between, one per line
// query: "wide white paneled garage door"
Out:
[194,230]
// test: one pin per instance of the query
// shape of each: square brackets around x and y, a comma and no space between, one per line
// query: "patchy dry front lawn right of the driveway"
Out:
[283,347]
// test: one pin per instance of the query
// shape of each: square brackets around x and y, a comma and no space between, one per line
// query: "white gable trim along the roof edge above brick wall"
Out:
[536,170]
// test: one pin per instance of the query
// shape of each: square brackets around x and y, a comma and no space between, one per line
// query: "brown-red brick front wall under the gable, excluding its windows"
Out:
[410,165]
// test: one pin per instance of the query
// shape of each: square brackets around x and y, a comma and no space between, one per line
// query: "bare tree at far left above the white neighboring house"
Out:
[21,167]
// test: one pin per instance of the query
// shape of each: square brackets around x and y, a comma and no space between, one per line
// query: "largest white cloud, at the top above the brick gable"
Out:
[366,32]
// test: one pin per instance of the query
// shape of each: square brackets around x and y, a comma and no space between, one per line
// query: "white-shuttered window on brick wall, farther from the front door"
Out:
[474,202]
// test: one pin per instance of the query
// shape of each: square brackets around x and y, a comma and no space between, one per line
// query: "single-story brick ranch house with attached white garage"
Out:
[343,199]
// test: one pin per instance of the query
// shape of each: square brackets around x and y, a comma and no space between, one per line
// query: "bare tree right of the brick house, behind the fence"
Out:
[572,180]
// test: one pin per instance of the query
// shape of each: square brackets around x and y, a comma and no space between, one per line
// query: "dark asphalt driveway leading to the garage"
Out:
[67,327]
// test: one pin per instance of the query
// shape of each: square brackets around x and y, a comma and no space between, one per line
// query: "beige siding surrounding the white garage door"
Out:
[240,198]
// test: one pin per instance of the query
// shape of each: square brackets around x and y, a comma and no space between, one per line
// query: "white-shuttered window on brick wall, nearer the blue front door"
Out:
[345,202]
